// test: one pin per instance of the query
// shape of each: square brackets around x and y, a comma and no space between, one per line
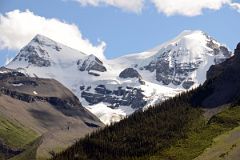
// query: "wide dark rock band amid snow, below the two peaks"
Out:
[122,96]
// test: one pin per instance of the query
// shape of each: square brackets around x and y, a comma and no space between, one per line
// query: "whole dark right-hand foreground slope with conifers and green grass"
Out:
[175,129]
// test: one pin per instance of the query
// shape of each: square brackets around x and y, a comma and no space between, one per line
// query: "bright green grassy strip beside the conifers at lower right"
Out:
[201,135]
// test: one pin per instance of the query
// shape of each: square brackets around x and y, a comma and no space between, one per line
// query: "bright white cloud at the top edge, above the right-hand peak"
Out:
[187,7]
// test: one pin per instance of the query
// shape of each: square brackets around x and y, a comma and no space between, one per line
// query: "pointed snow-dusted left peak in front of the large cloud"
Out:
[44,52]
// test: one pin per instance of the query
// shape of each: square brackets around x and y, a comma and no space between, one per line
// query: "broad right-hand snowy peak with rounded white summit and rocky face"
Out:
[181,62]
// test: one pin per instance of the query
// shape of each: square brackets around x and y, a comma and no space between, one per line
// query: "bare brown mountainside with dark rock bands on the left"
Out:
[46,108]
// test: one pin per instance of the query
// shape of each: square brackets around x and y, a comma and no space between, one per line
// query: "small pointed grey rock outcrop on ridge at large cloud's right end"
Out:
[91,63]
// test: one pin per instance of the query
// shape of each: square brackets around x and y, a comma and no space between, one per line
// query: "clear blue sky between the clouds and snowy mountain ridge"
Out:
[125,31]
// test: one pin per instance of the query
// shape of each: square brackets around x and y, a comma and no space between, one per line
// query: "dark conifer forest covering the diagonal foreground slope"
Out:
[141,134]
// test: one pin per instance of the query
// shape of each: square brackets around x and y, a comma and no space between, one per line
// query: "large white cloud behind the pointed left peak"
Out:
[18,28]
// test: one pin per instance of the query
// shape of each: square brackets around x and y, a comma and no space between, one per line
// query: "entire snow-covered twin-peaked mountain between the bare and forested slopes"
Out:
[112,89]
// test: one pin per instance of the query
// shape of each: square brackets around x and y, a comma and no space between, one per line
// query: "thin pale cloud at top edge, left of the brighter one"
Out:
[127,5]
